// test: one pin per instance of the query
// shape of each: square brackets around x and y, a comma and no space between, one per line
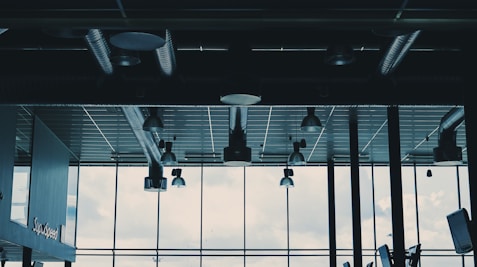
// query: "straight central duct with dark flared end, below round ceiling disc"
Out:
[237,153]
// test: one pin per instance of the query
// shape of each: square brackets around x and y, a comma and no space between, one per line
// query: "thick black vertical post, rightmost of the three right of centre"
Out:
[394,143]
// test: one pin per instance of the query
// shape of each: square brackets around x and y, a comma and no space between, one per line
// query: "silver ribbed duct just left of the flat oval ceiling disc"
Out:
[100,49]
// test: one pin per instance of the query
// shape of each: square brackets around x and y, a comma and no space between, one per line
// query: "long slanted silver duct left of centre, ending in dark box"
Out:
[155,181]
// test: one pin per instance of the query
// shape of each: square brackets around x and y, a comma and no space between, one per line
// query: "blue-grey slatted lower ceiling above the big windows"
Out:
[95,134]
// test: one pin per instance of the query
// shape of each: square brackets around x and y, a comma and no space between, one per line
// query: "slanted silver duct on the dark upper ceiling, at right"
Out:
[396,52]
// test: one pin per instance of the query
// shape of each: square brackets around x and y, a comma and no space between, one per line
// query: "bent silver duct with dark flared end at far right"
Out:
[447,152]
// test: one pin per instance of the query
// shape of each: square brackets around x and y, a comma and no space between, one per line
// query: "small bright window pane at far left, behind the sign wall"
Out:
[20,194]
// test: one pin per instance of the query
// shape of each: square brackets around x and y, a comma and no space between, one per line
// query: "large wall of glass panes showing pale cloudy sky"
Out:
[240,216]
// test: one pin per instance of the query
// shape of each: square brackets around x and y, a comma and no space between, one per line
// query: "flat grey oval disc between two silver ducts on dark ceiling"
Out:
[136,41]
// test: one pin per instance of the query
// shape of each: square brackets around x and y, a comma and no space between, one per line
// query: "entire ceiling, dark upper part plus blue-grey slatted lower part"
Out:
[279,48]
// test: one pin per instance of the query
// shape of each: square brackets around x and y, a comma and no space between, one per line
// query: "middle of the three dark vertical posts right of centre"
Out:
[355,197]
